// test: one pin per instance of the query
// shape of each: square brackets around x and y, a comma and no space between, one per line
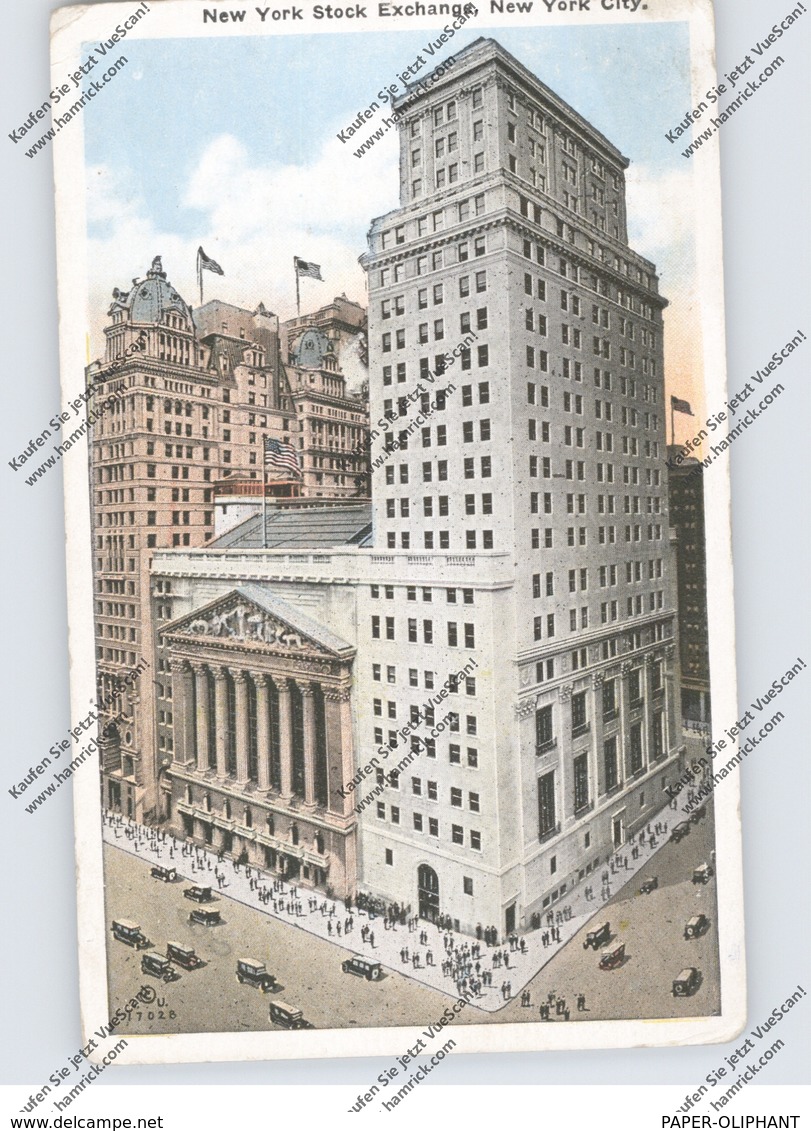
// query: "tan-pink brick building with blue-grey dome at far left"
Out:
[202,390]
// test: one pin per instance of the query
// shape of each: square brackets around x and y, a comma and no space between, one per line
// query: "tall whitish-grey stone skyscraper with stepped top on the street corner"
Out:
[506,279]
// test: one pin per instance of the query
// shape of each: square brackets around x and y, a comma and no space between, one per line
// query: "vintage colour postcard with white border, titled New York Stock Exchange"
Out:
[400,559]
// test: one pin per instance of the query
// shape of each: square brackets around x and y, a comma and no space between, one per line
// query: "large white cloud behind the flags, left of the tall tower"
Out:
[254,220]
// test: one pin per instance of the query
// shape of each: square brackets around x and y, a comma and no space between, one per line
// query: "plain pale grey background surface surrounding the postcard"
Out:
[765,162]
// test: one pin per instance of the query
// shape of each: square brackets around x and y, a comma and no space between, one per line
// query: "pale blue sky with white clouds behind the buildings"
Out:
[231,144]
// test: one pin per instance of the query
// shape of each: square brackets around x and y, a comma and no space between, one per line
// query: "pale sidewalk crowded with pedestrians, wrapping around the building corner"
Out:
[294,906]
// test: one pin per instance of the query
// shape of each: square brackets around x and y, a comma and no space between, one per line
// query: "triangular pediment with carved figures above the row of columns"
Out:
[249,616]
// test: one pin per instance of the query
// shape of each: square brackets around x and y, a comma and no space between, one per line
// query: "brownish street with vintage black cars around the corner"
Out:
[309,974]
